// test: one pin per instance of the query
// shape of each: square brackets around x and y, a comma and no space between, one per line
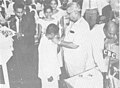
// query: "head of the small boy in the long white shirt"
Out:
[52,31]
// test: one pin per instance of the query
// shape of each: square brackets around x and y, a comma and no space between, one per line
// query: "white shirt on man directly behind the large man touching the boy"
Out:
[97,39]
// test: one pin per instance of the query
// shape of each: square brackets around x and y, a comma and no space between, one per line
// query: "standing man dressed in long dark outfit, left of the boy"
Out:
[23,64]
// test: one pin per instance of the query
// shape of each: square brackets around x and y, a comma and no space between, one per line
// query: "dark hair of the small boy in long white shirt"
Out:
[52,28]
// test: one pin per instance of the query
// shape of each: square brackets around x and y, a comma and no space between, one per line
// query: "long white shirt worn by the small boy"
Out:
[48,61]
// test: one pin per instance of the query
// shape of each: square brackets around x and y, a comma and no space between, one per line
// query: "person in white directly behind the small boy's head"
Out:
[43,23]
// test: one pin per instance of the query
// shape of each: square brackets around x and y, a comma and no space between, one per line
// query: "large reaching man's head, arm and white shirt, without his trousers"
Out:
[75,42]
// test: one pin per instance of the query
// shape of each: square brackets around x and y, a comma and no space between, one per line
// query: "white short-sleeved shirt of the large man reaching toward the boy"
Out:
[76,59]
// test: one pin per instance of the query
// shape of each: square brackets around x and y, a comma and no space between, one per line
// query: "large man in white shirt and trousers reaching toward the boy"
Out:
[78,53]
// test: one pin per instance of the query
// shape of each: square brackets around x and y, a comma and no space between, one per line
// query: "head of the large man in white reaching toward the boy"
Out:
[74,11]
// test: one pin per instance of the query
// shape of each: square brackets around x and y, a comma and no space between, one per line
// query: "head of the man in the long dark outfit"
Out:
[19,9]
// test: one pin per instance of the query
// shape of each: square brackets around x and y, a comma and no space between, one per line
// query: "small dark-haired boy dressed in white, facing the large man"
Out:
[49,67]
